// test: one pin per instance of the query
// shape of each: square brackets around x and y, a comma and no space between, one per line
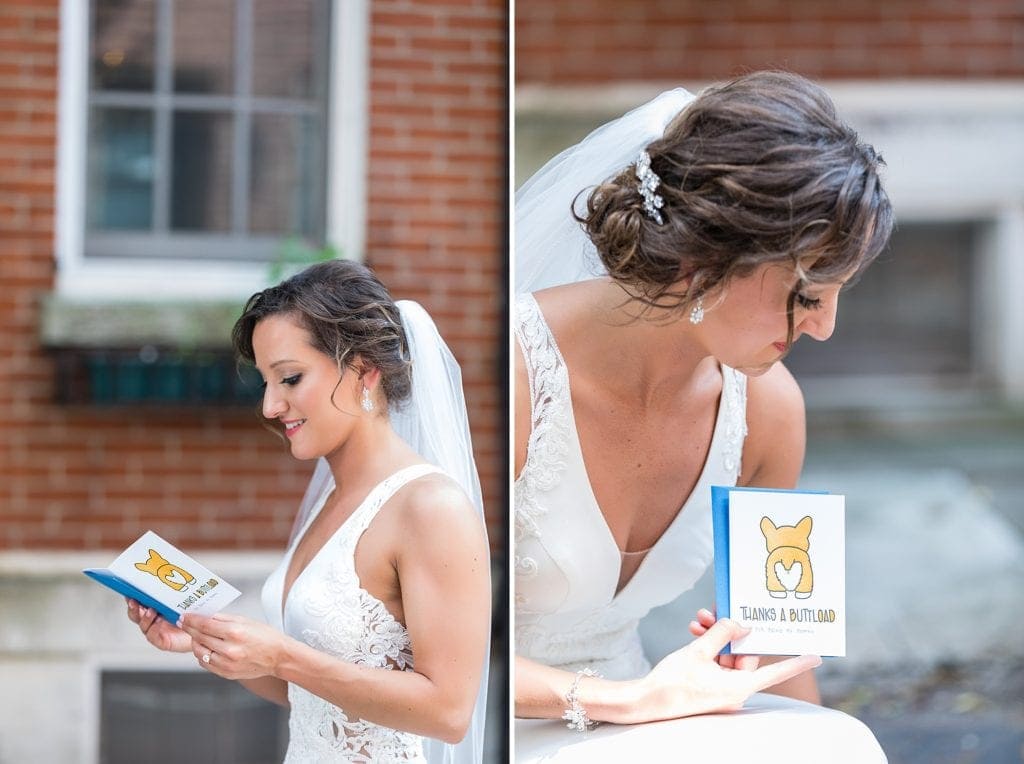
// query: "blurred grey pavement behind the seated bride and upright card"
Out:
[935,583]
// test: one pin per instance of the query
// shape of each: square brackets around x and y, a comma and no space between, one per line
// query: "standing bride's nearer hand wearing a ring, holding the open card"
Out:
[234,647]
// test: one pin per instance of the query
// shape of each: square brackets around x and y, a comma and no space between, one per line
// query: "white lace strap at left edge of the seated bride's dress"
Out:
[549,440]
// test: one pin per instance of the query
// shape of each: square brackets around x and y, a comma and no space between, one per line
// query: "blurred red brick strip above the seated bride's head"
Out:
[593,41]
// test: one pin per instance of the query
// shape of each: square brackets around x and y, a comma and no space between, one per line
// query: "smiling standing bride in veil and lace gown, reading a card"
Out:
[379,613]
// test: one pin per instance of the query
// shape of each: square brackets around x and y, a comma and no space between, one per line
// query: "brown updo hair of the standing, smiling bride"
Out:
[348,313]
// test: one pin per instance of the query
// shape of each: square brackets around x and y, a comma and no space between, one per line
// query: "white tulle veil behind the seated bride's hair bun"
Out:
[551,248]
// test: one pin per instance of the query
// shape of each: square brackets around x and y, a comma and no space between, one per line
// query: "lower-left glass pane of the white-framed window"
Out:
[120,173]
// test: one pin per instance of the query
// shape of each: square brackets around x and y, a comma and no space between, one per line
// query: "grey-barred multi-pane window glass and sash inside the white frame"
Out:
[206,128]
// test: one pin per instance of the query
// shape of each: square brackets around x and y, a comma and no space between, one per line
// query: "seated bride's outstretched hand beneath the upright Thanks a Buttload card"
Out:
[693,682]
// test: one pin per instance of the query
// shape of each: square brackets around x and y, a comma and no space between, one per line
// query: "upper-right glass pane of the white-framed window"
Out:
[289,49]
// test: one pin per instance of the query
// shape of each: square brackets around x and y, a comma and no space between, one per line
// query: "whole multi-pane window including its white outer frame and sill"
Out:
[196,136]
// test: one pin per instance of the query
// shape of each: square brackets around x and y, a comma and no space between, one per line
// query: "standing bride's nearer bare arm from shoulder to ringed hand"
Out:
[443,569]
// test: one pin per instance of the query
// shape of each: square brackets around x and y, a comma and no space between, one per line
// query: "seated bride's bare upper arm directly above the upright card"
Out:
[774,453]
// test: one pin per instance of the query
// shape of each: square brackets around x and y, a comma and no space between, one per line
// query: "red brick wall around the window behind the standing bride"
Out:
[88,478]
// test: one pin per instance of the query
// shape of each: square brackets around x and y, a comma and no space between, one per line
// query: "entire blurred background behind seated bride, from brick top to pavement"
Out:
[917,404]
